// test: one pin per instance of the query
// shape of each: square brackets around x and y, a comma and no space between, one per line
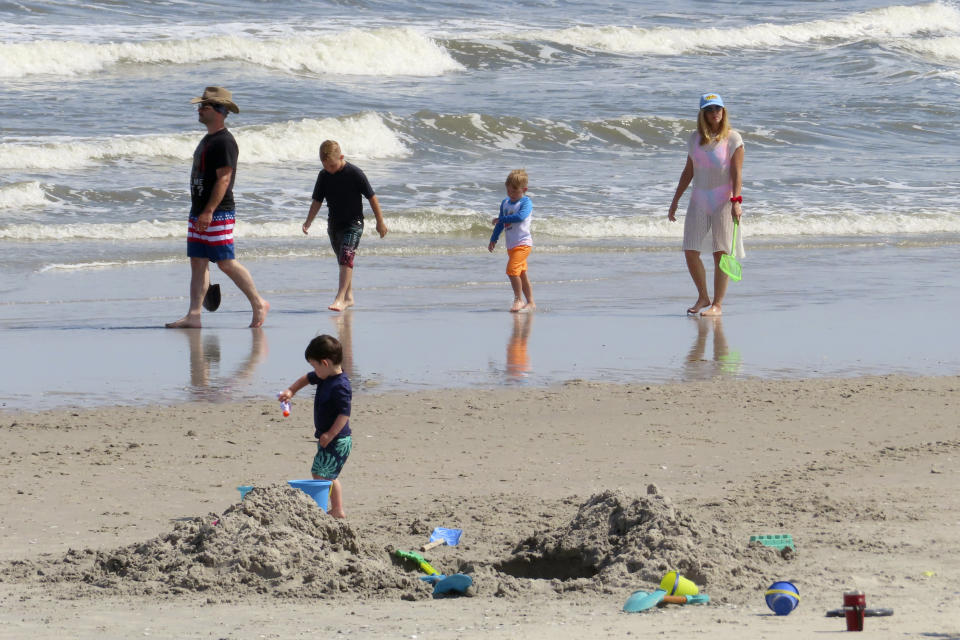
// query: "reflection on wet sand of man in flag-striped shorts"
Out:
[205,358]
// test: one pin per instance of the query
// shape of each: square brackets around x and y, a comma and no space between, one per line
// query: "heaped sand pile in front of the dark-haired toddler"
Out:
[275,541]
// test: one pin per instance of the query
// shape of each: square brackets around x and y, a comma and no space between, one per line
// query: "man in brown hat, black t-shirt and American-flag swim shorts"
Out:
[212,210]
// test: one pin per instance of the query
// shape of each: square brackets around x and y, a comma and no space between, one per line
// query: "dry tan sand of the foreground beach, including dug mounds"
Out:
[107,515]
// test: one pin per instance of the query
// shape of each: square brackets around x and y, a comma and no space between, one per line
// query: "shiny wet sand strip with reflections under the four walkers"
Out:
[601,316]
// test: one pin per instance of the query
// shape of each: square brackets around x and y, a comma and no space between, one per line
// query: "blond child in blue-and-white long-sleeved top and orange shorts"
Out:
[515,213]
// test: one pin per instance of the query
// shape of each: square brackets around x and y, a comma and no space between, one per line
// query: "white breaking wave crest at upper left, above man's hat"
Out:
[374,52]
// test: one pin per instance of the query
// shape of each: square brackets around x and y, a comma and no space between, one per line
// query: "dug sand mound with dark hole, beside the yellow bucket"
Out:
[616,541]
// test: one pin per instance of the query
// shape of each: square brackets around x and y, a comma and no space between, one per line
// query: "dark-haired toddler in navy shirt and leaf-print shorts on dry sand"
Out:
[331,413]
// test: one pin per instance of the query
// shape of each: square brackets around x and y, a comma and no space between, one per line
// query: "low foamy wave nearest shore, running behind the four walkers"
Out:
[468,223]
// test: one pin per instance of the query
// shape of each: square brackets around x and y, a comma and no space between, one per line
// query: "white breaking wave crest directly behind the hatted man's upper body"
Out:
[364,136]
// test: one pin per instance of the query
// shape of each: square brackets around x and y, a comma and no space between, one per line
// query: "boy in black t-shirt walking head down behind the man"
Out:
[342,185]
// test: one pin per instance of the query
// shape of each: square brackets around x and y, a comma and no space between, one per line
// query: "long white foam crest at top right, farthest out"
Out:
[877,24]
